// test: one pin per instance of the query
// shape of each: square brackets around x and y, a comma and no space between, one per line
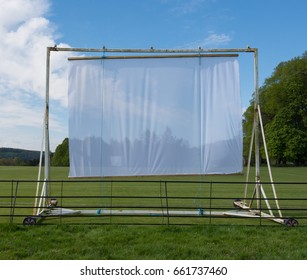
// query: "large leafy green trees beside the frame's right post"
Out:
[283,101]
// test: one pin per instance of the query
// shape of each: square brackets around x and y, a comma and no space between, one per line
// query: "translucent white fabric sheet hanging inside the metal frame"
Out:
[154,116]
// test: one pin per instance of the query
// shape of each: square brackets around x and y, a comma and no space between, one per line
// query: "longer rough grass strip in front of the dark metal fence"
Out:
[71,242]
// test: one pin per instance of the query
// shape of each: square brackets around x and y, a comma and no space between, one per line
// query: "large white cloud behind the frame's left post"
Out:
[25,34]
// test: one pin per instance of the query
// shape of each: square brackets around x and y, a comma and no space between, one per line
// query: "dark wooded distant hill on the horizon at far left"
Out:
[11,156]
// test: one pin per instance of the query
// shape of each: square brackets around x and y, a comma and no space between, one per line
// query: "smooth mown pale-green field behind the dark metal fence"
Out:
[223,190]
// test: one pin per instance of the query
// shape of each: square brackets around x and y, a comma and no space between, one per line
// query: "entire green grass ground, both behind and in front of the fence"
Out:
[104,238]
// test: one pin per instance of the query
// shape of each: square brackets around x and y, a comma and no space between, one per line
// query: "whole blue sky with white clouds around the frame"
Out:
[276,27]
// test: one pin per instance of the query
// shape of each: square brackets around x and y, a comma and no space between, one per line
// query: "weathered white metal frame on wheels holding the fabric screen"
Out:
[45,208]
